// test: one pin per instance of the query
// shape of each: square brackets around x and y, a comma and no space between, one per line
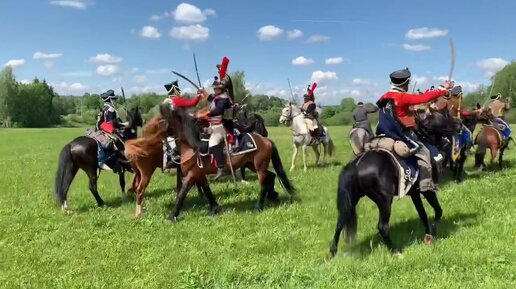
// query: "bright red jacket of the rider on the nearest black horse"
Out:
[403,101]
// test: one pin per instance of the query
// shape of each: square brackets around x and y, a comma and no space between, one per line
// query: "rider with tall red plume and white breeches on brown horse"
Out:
[220,118]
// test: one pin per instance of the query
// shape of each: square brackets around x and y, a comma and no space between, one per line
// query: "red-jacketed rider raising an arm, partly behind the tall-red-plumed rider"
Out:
[177,101]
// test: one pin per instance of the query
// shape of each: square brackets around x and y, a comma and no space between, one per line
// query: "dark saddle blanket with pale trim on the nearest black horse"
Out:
[408,171]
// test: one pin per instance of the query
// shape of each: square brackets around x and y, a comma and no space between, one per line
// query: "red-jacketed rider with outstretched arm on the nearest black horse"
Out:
[398,100]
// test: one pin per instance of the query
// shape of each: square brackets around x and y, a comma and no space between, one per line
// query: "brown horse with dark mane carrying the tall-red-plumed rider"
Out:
[195,167]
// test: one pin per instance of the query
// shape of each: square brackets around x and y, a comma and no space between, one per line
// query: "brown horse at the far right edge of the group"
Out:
[489,137]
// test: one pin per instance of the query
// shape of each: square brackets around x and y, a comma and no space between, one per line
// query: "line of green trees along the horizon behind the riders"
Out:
[36,104]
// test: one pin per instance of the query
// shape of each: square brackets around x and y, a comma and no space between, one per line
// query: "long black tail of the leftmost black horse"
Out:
[64,174]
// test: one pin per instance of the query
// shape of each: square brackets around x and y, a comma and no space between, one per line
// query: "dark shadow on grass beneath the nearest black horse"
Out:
[412,231]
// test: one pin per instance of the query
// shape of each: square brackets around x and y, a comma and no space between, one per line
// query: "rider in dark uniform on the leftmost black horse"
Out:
[111,125]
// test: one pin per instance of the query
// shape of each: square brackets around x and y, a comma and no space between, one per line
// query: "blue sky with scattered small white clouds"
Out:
[349,47]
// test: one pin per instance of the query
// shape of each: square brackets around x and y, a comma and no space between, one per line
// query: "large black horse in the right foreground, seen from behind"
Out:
[376,176]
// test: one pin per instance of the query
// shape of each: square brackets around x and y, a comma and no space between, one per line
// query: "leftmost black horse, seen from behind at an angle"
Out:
[82,153]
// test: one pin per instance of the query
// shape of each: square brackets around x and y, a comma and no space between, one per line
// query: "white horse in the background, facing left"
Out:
[293,117]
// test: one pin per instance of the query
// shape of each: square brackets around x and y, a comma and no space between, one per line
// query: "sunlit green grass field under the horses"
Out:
[282,247]
